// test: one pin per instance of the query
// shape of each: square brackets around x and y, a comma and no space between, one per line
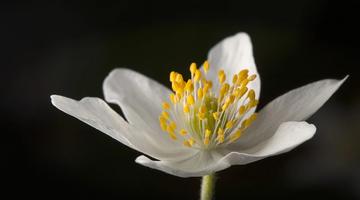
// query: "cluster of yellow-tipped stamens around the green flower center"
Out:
[206,117]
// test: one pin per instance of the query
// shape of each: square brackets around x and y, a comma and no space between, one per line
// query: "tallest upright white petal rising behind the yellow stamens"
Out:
[232,55]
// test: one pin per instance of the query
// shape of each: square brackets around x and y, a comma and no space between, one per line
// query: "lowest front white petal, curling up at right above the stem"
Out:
[288,136]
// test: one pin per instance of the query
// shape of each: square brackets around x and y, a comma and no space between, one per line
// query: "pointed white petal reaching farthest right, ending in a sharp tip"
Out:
[296,105]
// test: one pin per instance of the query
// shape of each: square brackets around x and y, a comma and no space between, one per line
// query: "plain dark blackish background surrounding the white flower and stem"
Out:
[68,49]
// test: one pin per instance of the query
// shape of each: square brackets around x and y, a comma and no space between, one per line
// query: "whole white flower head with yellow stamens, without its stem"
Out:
[204,130]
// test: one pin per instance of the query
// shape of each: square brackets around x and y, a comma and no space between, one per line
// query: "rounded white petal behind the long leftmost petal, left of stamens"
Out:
[136,93]
